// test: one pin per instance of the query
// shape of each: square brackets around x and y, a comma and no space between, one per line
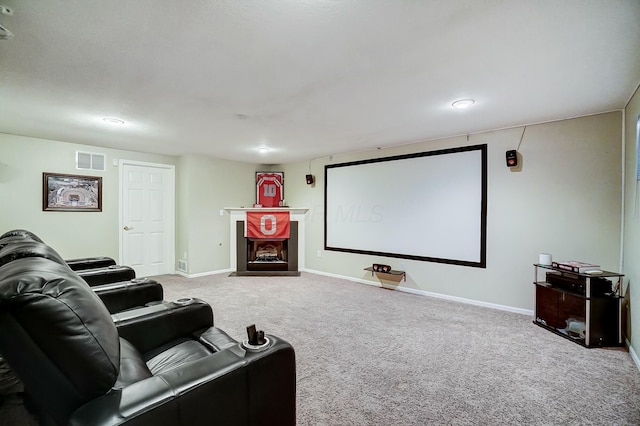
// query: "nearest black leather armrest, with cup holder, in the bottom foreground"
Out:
[233,386]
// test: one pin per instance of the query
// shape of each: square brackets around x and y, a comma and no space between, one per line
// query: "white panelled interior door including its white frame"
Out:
[147,217]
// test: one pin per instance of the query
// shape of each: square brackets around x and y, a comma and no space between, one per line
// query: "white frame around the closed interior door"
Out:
[171,231]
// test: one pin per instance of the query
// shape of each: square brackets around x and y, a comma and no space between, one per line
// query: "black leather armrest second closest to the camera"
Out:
[152,326]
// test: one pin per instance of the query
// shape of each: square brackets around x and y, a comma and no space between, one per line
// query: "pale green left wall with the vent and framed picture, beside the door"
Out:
[72,234]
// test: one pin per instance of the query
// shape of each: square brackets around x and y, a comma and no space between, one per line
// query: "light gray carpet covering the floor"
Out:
[370,356]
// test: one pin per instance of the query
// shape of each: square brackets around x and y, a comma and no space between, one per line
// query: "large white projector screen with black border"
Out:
[429,206]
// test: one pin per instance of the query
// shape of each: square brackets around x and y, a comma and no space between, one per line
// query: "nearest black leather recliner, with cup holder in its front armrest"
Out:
[80,369]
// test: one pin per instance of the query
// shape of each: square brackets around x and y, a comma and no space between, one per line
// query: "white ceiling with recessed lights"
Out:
[307,78]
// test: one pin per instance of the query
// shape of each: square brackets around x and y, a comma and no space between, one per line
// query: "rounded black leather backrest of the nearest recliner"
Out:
[64,319]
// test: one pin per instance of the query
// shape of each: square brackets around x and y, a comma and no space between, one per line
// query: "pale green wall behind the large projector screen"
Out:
[565,200]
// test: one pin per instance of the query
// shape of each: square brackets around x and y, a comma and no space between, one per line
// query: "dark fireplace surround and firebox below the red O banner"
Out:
[267,257]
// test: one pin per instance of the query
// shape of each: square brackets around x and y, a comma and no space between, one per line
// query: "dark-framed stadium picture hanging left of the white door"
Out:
[71,193]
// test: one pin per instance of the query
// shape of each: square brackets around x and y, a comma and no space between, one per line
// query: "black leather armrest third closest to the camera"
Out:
[121,296]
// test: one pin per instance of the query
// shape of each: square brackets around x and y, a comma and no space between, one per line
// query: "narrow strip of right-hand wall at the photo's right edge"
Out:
[632,226]
